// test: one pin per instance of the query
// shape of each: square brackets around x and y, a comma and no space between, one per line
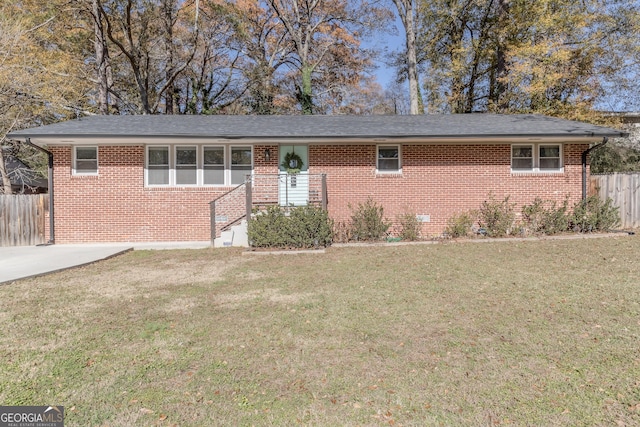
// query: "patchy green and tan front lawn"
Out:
[517,333]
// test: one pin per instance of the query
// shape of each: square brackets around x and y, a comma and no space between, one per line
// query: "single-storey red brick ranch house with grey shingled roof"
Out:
[153,178]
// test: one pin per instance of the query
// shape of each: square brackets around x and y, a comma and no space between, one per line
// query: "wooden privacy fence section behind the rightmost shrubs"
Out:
[624,190]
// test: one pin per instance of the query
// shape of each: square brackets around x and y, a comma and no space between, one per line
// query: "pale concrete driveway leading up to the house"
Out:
[21,262]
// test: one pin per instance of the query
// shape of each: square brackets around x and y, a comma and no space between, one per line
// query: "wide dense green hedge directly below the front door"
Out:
[304,227]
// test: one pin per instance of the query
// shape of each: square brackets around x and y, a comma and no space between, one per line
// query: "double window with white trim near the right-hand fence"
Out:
[536,157]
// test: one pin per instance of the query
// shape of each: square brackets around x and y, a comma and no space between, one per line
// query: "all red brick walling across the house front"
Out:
[436,180]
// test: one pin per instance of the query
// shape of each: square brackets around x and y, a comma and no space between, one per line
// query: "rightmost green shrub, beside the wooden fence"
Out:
[592,214]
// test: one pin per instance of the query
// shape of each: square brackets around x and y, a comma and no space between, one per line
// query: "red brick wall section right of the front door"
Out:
[438,180]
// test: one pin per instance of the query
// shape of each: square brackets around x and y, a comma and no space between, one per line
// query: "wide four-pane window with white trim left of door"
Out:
[197,165]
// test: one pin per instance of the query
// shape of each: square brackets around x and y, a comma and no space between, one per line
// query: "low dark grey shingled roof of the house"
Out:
[318,127]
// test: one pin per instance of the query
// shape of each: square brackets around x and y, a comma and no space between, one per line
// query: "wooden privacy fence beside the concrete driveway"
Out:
[22,219]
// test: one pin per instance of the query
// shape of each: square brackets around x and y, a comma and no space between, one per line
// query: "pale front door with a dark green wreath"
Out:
[294,175]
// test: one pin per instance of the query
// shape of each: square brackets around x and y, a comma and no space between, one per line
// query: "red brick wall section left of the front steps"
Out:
[115,206]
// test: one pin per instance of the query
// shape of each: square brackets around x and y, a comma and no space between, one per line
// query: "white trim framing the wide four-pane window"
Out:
[199,164]
